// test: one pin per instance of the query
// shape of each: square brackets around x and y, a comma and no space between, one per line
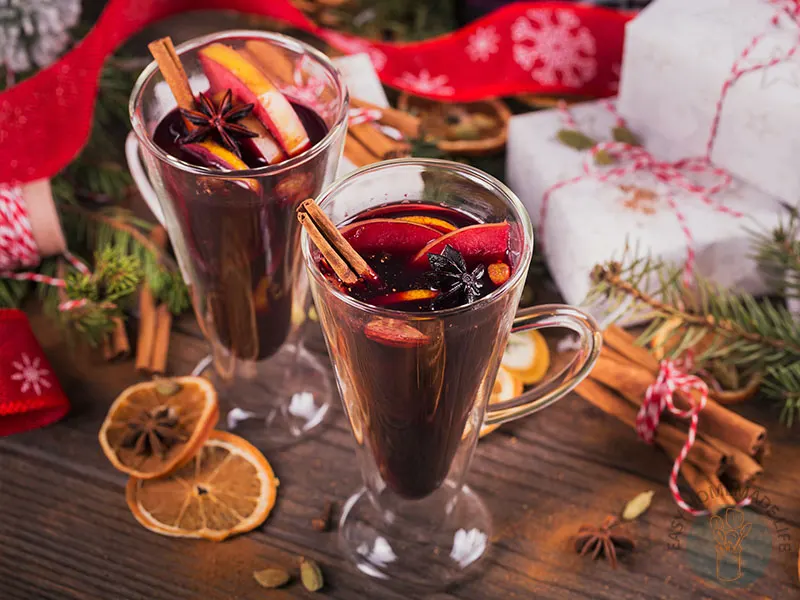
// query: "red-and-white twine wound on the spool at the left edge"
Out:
[18,247]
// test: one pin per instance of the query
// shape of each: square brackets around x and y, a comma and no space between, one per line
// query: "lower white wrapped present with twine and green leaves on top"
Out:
[585,213]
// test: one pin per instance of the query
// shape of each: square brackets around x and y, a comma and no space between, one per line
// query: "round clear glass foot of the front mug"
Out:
[423,545]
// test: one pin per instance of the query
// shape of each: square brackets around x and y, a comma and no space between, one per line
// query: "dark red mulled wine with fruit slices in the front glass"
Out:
[415,381]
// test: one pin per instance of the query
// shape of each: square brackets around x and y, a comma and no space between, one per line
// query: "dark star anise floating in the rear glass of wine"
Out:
[220,119]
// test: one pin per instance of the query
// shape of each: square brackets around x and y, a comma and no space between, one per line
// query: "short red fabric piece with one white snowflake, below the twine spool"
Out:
[30,395]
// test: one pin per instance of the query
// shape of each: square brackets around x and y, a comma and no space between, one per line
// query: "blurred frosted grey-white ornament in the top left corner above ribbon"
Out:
[34,33]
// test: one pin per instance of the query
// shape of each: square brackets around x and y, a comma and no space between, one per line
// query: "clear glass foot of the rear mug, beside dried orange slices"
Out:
[275,402]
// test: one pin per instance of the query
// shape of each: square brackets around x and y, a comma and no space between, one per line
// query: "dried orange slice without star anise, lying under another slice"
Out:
[227,488]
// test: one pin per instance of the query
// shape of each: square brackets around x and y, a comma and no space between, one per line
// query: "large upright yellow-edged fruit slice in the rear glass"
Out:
[228,69]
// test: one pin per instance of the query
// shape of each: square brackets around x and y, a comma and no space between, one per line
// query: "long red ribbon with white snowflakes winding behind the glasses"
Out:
[542,47]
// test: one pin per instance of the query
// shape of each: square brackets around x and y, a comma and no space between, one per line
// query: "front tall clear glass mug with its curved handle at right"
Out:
[415,385]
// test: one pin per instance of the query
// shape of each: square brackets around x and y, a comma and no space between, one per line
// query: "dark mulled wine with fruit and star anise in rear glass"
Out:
[241,234]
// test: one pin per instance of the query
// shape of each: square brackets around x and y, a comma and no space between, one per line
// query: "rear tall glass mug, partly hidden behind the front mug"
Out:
[237,239]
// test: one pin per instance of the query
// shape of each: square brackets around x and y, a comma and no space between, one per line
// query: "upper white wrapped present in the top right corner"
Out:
[718,79]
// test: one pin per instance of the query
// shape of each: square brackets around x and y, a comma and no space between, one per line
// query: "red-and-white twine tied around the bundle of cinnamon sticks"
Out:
[672,378]
